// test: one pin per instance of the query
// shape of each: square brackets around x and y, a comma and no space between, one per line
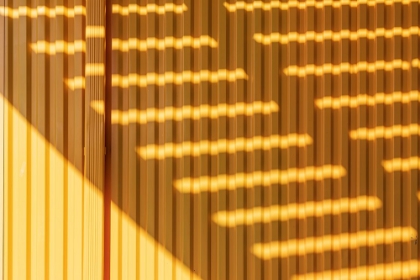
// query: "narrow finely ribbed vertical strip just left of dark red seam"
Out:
[94,140]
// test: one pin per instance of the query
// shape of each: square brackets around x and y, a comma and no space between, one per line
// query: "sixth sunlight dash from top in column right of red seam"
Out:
[258,178]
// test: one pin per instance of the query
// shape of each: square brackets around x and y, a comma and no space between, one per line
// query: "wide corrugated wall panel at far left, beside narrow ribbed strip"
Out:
[44,73]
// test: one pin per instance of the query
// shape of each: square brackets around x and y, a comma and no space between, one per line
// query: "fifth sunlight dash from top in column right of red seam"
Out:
[223,146]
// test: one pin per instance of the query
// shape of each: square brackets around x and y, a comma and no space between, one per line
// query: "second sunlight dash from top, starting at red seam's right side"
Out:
[161,44]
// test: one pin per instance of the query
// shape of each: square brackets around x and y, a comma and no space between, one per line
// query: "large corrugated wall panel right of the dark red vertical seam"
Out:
[264,139]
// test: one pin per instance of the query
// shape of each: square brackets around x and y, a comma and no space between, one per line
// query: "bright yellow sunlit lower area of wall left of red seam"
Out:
[84,202]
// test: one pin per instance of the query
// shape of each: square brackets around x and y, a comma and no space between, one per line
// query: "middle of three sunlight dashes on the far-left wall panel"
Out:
[68,48]
